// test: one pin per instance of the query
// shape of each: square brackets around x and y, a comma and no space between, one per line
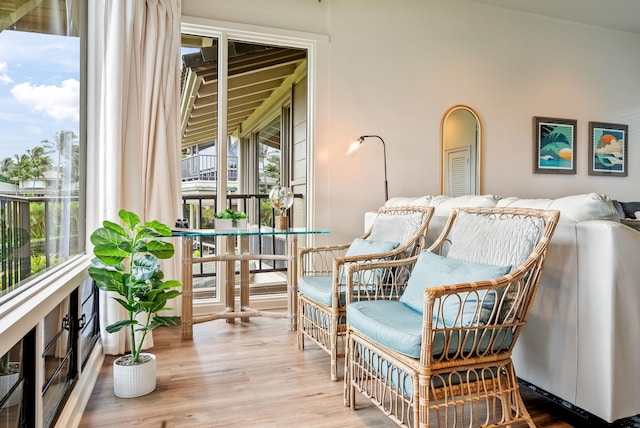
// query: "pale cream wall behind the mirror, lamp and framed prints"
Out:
[394,68]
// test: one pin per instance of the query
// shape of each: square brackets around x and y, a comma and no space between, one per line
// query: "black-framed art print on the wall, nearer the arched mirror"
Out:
[554,143]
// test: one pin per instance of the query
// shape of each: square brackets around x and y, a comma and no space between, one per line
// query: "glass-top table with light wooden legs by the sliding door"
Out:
[237,250]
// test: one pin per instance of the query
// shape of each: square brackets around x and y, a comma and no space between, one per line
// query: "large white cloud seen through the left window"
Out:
[59,102]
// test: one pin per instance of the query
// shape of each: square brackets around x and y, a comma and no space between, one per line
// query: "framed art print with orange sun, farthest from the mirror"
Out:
[608,149]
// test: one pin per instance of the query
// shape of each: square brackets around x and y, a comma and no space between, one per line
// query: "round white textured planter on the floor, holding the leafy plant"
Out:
[134,380]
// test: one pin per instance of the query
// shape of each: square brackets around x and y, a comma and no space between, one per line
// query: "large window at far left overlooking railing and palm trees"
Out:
[40,144]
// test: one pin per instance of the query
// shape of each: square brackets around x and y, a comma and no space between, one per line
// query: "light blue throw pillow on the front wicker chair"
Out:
[433,270]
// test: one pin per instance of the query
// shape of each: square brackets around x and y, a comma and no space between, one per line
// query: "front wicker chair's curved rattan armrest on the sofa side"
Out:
[489,317]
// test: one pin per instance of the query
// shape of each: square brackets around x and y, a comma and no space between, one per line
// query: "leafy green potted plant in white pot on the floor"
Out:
[127,263]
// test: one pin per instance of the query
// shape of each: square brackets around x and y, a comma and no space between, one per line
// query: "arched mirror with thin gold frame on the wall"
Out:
[461,135]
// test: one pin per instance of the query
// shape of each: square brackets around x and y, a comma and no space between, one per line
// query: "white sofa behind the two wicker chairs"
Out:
[582,339]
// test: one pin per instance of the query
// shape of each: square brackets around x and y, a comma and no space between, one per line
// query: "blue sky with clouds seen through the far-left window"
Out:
[39,89]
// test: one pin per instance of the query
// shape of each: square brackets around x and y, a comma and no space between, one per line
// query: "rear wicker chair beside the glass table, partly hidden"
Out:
[397,232]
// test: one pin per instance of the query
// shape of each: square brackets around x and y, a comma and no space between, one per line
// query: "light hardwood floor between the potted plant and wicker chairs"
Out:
[247,375]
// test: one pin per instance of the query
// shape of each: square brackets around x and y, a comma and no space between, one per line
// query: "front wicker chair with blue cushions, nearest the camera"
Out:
[440,355]
